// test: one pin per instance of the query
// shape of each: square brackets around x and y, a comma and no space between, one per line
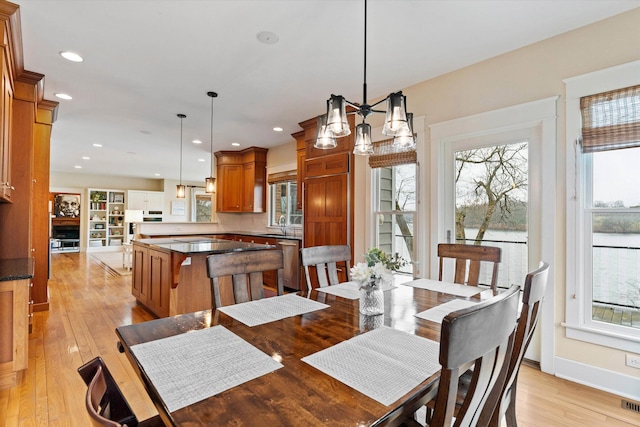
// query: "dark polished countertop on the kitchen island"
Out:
[192,245]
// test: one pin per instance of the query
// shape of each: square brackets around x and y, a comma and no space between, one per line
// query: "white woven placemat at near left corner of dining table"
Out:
[190,367]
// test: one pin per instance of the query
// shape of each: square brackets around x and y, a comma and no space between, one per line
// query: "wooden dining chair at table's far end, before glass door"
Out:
[472,255]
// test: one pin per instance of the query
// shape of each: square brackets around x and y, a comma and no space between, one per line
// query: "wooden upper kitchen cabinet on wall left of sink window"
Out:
[241,180]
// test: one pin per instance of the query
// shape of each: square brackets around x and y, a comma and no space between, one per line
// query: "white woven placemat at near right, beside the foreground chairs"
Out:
[383,364]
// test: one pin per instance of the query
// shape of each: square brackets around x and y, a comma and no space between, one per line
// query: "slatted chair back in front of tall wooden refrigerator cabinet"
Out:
[325,259]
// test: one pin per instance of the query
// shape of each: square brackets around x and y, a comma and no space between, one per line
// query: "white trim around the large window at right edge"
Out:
[578,321]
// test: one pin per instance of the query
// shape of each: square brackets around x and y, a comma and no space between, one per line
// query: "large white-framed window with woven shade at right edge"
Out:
[603,217]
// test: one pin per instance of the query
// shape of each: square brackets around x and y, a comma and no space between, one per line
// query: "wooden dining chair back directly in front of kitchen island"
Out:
[245,270]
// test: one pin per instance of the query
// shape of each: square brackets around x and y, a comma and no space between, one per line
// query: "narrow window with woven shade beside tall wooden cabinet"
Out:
[394,177]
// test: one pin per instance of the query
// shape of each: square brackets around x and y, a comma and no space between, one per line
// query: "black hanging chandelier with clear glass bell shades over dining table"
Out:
[397,121]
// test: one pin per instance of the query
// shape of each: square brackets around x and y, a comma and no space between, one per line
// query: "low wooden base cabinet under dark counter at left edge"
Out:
[14,329]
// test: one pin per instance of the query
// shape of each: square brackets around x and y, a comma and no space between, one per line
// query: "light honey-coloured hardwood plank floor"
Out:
[87,302]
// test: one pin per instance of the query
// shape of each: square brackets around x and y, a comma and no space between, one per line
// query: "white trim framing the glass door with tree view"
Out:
[542,113]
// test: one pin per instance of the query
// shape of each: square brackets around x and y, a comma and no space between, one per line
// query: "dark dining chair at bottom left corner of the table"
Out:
[105,403]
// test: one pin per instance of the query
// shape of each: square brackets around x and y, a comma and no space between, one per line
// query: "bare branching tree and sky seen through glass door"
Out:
[491,185]
